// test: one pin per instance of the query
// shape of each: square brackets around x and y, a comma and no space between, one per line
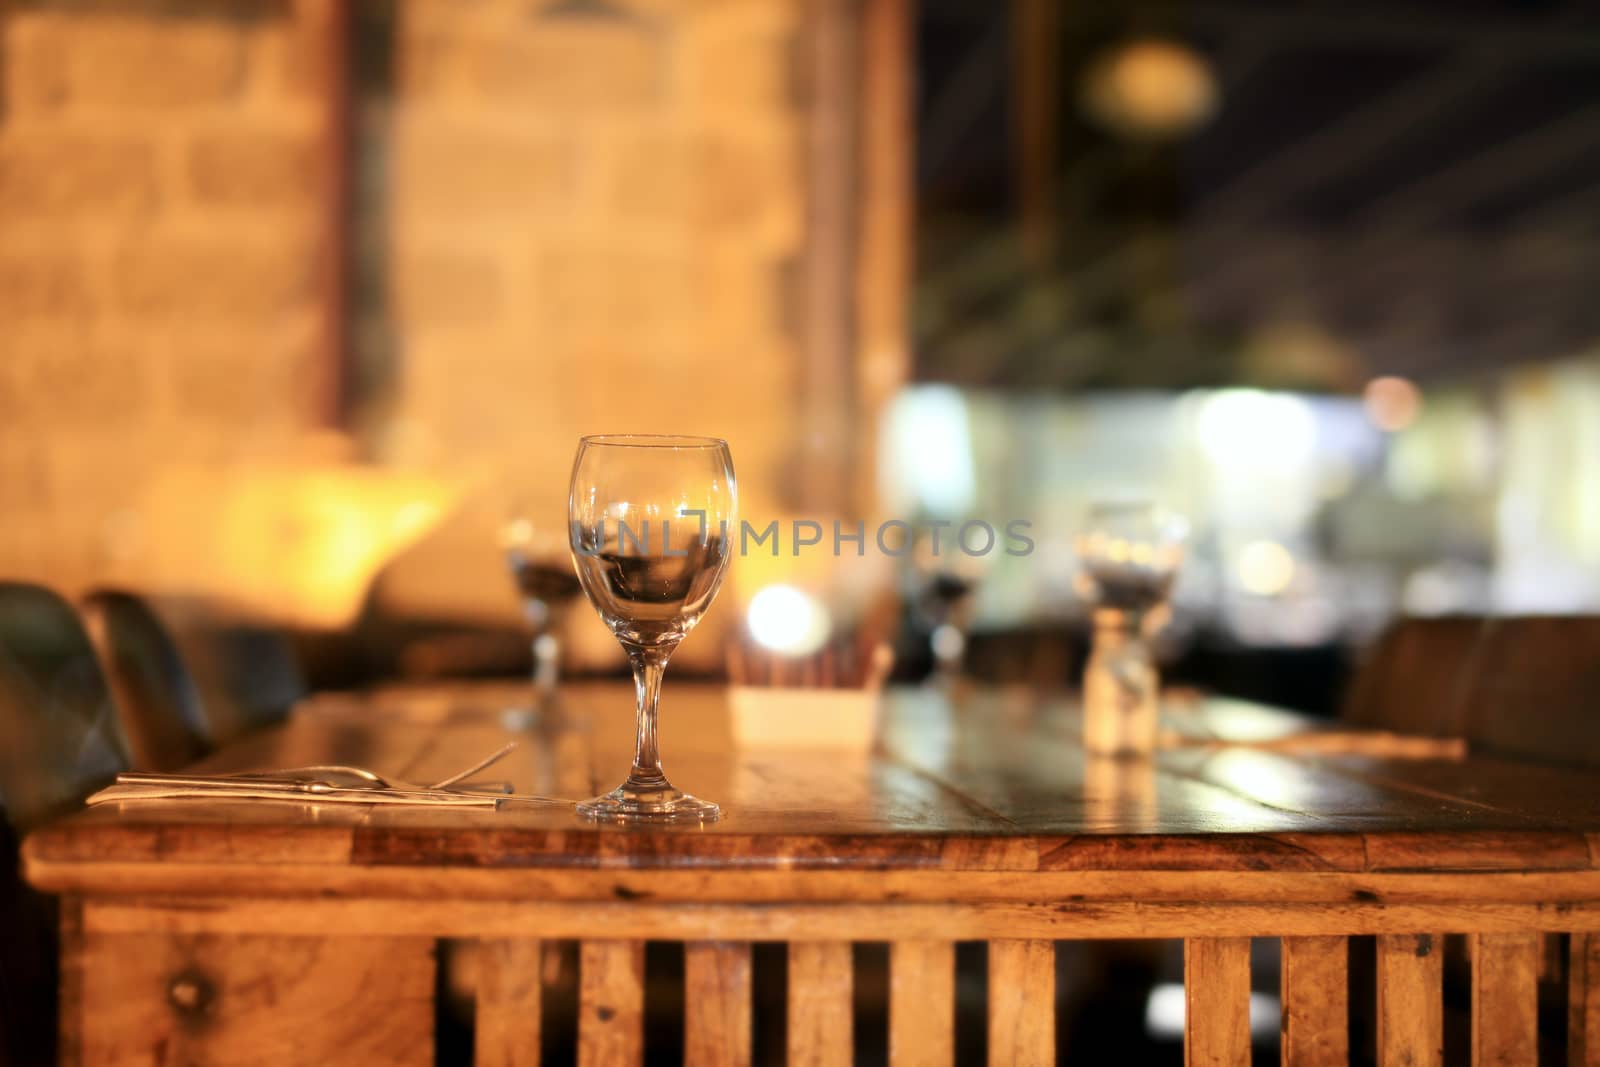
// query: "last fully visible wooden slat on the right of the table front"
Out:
[1505,999]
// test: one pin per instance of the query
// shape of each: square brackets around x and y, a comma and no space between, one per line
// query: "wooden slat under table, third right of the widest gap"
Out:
[1410,1001]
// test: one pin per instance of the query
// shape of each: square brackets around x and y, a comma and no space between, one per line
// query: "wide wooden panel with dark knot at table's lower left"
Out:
[250,1001]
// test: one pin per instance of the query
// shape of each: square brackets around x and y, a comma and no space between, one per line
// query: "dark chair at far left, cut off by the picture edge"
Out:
[58,743]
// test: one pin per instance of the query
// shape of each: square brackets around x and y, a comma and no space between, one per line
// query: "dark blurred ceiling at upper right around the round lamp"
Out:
[1386,188]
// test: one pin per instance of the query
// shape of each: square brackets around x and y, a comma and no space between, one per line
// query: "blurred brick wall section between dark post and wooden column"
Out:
[591,223]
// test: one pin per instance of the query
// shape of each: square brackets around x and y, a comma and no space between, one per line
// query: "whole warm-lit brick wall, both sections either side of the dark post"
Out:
[577,217]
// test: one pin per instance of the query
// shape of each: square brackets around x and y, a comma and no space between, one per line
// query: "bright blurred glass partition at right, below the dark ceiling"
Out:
[1316,518]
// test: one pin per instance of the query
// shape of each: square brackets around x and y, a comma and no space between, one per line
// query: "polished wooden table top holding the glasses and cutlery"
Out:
[990,781]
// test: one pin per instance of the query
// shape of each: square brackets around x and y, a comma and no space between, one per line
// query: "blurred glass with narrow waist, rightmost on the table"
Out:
[1130,554]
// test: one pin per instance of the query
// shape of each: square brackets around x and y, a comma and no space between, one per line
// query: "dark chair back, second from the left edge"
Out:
[156,698]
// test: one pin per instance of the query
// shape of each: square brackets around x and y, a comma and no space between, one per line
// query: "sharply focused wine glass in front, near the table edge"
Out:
[650,519]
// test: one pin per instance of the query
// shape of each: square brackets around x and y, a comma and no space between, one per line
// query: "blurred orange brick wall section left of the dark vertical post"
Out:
[158,231]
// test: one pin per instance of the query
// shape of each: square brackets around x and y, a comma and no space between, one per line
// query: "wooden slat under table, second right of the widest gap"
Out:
[1316,1002]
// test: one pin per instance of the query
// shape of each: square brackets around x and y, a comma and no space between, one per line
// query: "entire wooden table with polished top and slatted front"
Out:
[252,933]
